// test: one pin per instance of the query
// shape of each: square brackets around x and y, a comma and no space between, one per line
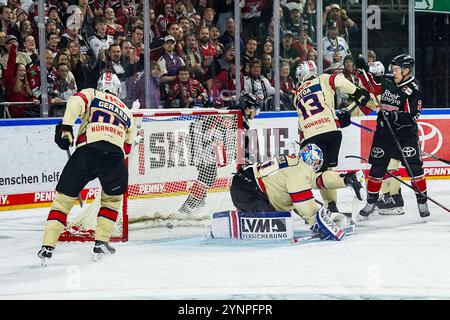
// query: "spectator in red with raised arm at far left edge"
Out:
[18,88]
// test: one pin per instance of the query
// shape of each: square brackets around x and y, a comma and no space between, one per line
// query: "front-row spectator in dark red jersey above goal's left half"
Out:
[185,92]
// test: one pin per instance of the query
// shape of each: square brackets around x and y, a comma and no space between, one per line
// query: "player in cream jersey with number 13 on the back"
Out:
[319,124]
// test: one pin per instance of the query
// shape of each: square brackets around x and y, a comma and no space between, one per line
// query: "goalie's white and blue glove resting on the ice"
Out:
[328,224]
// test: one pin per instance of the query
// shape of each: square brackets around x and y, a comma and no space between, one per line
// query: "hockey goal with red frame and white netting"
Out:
[180,170]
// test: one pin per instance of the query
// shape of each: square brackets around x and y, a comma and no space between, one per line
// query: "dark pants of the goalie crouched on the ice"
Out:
[246,195]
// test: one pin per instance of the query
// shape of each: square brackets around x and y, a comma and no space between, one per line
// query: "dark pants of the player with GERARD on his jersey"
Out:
[90,162]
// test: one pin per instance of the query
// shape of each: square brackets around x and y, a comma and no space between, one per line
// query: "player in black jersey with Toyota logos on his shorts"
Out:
[401,103]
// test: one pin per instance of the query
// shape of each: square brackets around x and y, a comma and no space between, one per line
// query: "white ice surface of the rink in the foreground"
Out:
[389,257]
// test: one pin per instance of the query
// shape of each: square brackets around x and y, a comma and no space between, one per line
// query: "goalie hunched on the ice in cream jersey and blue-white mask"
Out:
[283,184]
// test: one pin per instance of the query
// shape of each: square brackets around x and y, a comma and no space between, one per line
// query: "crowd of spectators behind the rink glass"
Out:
[192,50]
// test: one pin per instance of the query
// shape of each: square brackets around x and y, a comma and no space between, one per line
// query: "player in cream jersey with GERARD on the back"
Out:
[105,136]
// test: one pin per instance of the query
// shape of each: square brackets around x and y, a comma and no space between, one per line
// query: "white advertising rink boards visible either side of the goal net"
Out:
[31,163]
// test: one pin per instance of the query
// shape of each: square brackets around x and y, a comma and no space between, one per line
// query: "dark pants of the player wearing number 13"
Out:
[330,144]
